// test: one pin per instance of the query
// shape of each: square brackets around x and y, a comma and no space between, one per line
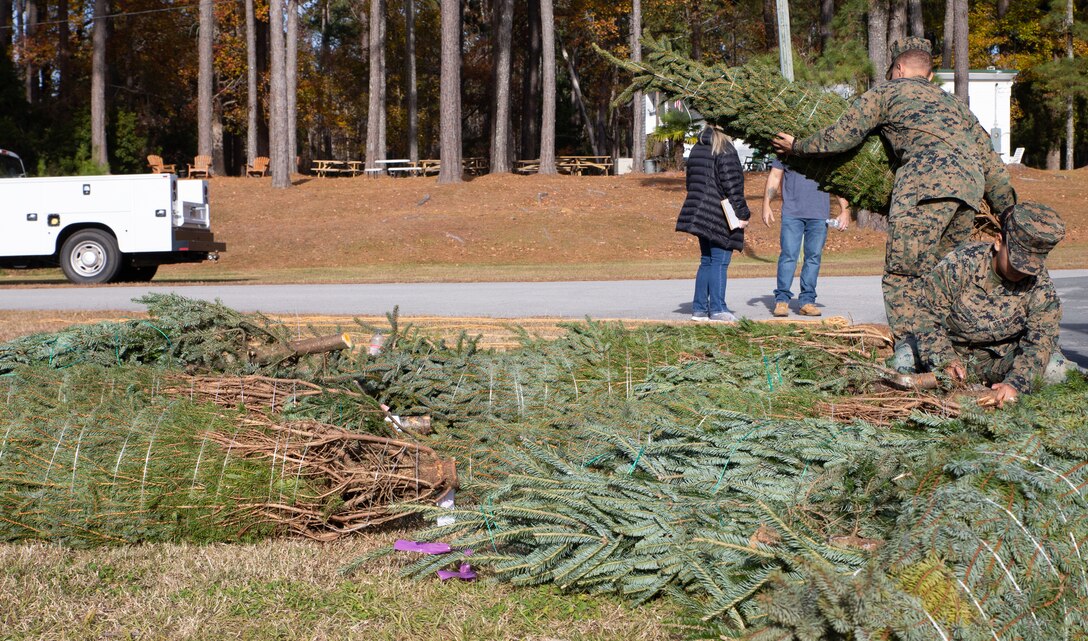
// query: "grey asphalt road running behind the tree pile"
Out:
[857,299]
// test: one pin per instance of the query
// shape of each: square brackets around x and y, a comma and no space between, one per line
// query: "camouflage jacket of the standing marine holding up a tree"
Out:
[941,149]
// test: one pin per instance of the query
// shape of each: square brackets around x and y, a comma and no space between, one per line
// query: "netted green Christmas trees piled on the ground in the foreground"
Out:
[712,465]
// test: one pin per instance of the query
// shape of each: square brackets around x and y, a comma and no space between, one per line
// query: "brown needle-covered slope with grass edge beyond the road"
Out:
[514,228]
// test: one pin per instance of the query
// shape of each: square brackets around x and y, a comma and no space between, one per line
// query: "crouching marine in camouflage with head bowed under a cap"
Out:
[991,312]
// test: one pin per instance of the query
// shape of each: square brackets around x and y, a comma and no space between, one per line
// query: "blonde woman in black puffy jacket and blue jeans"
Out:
[714,174]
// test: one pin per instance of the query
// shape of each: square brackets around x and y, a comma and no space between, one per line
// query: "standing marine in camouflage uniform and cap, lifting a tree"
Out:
[947,165]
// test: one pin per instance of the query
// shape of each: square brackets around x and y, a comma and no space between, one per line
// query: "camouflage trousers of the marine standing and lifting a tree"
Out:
[919,237]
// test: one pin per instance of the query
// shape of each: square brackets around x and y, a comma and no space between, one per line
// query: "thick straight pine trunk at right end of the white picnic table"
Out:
[451,94]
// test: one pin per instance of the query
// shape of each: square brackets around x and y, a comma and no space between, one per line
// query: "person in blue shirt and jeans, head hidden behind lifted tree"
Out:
[806,215]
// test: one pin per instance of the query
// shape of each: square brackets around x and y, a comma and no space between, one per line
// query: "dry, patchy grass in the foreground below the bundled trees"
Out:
[285,589]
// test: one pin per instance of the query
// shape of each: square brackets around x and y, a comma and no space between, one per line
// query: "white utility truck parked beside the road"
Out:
[103,229]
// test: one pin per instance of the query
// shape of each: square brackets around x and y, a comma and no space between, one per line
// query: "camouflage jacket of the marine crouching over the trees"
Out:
[967,303]
